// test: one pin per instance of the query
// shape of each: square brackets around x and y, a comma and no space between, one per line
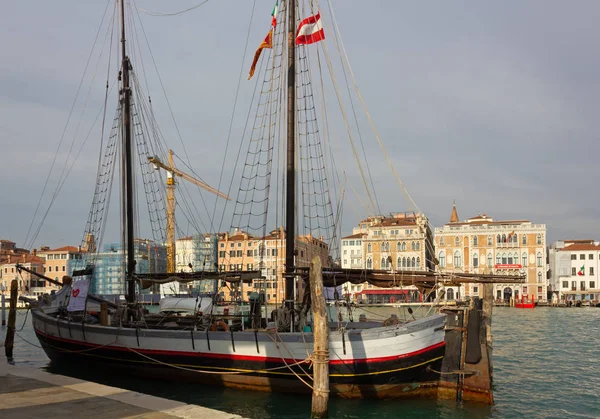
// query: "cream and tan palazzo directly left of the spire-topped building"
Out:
[398,242]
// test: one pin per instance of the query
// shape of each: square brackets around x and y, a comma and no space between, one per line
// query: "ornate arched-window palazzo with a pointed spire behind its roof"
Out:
[481,245]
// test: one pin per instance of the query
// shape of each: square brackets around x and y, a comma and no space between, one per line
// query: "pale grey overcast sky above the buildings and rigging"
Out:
[492,105]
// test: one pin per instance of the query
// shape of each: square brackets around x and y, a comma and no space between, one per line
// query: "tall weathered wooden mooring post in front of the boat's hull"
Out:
[320,396]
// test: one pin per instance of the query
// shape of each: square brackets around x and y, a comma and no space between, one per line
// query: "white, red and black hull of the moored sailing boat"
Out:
[390,362]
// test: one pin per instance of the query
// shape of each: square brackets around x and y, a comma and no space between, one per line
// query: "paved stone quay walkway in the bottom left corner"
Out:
[31,393]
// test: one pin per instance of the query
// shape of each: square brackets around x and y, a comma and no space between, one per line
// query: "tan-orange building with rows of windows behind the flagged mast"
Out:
[243,252]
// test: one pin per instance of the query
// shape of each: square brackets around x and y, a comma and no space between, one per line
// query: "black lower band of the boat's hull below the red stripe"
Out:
[403,376]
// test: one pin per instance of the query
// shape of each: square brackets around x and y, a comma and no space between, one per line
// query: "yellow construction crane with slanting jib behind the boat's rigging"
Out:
[172,171]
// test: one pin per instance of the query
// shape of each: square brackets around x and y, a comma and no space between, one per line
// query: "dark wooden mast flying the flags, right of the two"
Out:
[290,221]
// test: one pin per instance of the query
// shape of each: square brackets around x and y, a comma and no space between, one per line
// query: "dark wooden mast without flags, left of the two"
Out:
[126,106]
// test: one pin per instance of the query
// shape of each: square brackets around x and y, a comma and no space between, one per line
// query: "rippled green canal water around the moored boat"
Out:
[546,365]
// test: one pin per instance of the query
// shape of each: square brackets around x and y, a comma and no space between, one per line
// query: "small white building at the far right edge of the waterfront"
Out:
[574,270]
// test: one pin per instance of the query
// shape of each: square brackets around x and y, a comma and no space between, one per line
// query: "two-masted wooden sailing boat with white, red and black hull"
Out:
[367,359]
